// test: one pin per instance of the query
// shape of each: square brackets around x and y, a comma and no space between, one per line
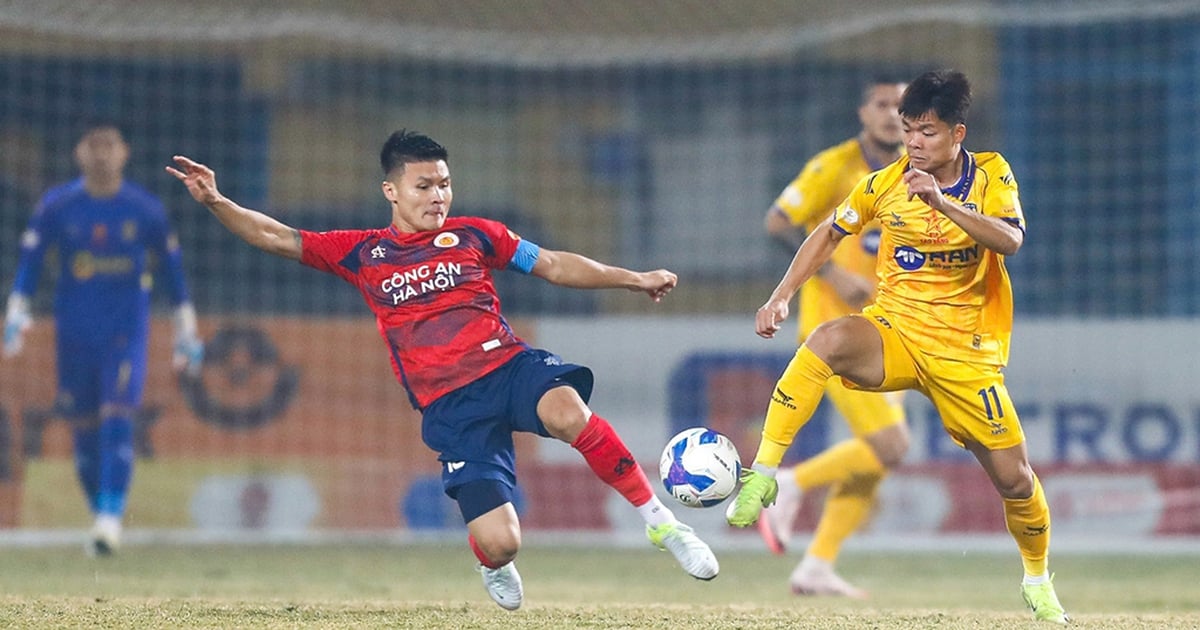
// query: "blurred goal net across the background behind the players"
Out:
[644,134]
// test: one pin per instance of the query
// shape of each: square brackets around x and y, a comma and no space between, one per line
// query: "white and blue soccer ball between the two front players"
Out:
[700,467]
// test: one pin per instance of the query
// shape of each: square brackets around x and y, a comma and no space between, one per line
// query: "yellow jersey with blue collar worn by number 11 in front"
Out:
[945,292]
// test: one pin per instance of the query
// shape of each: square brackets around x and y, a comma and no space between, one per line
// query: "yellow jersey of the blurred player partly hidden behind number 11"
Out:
[808,201]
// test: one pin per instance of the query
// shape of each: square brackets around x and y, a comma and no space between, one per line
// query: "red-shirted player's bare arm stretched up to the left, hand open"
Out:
[250,226]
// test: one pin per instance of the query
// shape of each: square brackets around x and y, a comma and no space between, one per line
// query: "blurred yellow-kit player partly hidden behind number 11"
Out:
[853,470]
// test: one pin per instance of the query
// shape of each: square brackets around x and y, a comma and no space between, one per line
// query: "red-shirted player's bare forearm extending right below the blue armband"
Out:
[568,269]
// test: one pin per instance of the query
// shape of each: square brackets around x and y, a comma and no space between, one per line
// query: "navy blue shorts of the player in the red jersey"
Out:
[472,427]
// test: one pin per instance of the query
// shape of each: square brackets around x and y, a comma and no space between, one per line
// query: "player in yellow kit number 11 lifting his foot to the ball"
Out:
[940,323]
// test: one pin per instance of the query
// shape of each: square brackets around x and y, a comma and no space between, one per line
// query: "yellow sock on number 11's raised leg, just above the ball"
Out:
[797,395]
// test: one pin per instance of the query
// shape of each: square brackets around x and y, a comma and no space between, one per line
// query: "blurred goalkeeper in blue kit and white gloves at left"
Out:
[105,229]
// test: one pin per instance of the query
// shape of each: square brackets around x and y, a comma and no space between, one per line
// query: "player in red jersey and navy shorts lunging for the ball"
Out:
[428,278]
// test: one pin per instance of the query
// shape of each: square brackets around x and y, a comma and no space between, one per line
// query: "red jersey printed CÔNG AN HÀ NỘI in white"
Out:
[433,296]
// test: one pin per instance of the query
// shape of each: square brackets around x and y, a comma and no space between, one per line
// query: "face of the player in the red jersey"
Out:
[421,196]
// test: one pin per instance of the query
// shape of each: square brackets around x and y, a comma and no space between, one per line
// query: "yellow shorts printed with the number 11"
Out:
[971,399]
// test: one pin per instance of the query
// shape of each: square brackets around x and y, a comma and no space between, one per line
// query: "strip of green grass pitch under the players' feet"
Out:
[434,586]
